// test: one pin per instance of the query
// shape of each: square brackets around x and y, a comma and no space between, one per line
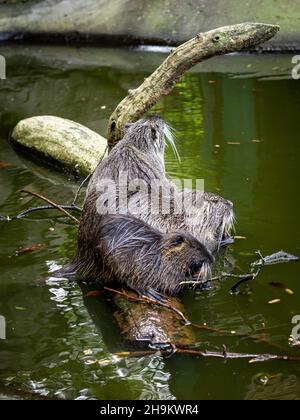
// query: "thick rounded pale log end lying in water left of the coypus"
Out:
[61,142]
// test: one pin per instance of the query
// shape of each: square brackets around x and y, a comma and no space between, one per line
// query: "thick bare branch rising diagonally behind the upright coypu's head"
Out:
[219,41]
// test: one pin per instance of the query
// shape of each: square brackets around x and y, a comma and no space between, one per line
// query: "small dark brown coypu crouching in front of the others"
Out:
[146,260]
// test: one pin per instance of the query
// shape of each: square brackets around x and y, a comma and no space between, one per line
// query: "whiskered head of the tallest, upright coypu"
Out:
[149,135]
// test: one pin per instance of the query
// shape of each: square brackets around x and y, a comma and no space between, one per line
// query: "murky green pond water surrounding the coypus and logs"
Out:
[52,329]
